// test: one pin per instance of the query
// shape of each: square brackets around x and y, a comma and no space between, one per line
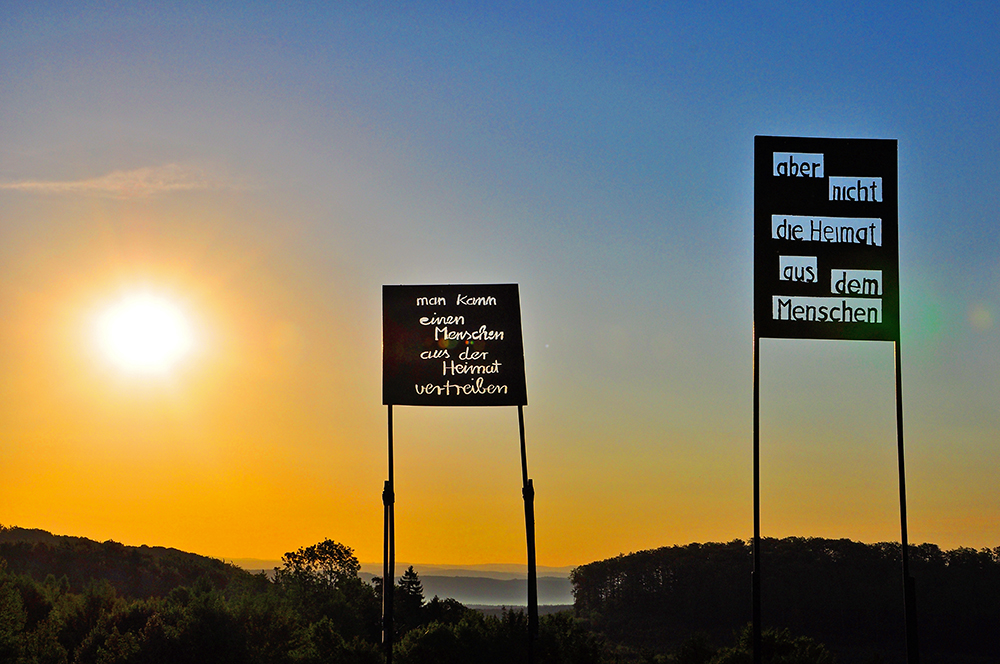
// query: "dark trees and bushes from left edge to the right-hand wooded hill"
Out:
[73,601]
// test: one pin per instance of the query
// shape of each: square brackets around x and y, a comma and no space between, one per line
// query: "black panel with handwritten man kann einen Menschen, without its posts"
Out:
[452,346]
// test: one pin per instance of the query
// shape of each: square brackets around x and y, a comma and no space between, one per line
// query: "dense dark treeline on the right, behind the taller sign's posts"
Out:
[845,594]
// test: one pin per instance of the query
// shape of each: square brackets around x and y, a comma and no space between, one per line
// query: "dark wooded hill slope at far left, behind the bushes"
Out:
[134,571]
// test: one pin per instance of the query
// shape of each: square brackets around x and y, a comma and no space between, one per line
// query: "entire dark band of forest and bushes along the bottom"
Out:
[67,600]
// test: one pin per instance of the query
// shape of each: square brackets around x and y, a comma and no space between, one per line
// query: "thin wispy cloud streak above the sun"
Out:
[135,183]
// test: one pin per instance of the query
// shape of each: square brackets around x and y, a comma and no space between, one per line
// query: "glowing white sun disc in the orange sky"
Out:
[145,333]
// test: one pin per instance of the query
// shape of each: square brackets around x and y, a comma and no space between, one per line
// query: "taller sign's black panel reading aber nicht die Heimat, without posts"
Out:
[826,254]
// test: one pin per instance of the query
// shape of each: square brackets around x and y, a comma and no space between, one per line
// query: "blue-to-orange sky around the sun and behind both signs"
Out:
[267,168]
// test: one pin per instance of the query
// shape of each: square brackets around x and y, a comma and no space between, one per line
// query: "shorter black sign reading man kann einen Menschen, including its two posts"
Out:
[454,345]
